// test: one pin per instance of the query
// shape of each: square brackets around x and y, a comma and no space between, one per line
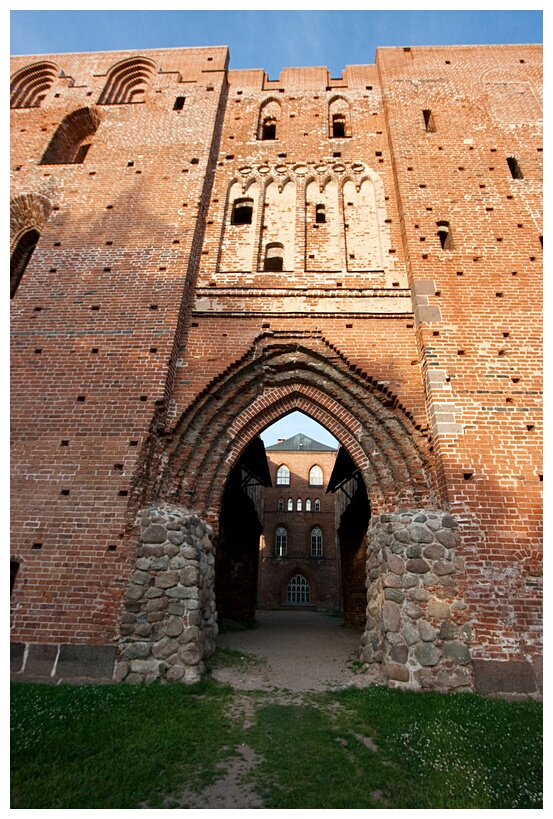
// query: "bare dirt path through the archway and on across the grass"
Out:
[288,655]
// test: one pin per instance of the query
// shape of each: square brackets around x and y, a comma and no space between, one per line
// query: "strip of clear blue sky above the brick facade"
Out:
[270,40]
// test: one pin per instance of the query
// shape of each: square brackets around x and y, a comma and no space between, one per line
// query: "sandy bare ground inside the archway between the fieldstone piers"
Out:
[295,650]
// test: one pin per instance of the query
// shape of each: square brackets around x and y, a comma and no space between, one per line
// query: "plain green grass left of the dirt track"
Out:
[114,746]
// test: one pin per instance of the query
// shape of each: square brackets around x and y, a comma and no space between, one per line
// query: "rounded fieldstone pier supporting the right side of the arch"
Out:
[417,626]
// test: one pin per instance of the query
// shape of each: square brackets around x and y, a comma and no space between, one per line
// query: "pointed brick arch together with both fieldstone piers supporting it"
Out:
[393,459]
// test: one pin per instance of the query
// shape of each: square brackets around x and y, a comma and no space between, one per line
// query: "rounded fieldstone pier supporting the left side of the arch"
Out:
[169,621]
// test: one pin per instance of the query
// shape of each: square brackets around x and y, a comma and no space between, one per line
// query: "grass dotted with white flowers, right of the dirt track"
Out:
[416,750]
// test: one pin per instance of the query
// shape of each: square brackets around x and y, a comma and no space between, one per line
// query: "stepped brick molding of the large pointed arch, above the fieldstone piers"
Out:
[275,378]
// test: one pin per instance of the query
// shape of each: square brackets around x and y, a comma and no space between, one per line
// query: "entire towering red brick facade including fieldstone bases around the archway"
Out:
[198,251]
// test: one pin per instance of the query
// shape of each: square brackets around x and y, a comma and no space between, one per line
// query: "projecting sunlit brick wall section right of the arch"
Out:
[481,357]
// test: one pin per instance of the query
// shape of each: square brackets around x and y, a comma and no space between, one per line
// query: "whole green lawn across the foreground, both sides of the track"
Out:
[127,746]
